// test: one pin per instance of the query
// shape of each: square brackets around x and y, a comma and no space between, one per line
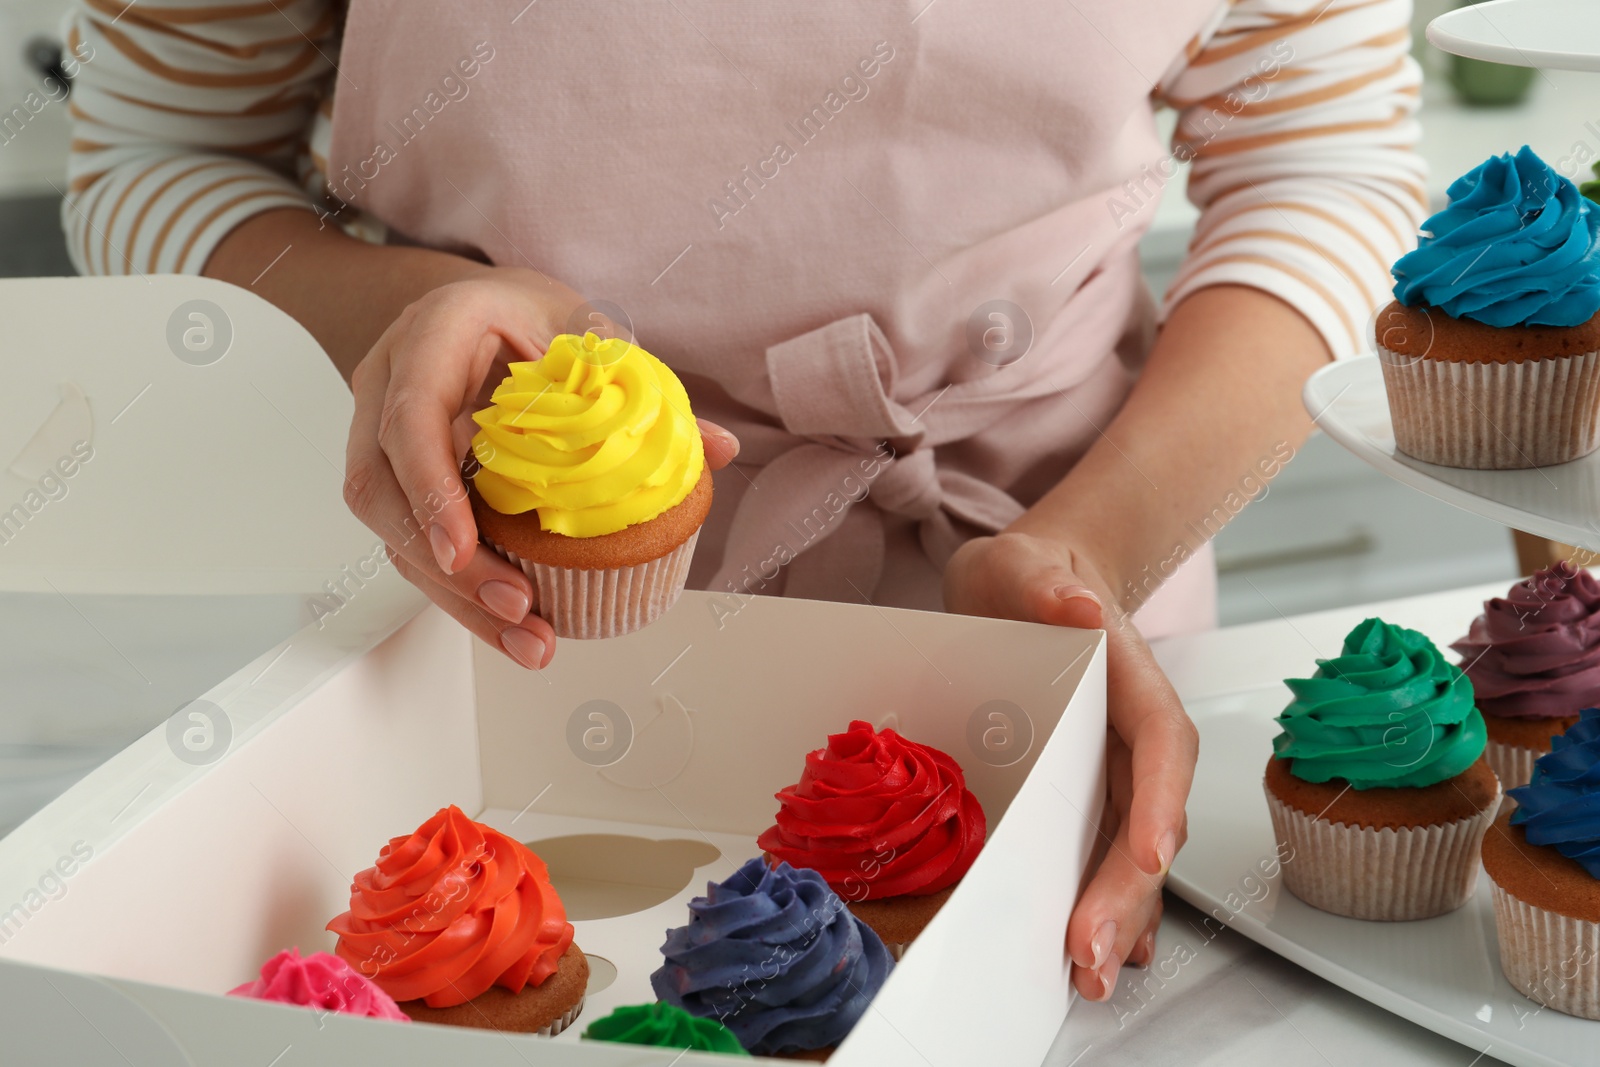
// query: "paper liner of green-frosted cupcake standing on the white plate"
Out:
[1380,874]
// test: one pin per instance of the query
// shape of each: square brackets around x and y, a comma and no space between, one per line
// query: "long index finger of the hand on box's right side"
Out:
[1151,721]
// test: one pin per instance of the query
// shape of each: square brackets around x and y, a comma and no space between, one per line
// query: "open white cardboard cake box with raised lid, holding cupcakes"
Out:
[641,767]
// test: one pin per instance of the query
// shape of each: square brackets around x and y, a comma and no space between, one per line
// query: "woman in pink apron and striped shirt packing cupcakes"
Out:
[890,238]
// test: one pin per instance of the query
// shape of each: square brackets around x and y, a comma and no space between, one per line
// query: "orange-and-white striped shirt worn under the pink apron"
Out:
[1298,121]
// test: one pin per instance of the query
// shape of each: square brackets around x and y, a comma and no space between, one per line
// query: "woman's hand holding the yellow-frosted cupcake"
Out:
[415,394]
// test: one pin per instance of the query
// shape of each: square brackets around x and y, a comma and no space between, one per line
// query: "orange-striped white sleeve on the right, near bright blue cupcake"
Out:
[1300,119]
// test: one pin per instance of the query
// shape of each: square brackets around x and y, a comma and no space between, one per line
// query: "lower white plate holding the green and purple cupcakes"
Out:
[1441,973]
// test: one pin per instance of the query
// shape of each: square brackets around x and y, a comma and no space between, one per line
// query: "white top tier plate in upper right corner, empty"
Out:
[1551,34]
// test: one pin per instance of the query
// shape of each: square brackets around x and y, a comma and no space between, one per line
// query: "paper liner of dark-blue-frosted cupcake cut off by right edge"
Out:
[1551,959]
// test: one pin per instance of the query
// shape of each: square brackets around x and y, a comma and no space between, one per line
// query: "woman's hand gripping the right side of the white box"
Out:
[1151,743]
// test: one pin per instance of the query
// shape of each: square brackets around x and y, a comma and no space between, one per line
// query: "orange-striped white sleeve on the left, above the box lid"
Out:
[190,118]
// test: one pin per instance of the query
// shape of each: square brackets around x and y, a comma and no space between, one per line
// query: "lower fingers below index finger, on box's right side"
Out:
[1113,922]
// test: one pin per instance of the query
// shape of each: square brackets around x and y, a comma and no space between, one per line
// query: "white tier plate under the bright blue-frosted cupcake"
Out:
[1562,503]
